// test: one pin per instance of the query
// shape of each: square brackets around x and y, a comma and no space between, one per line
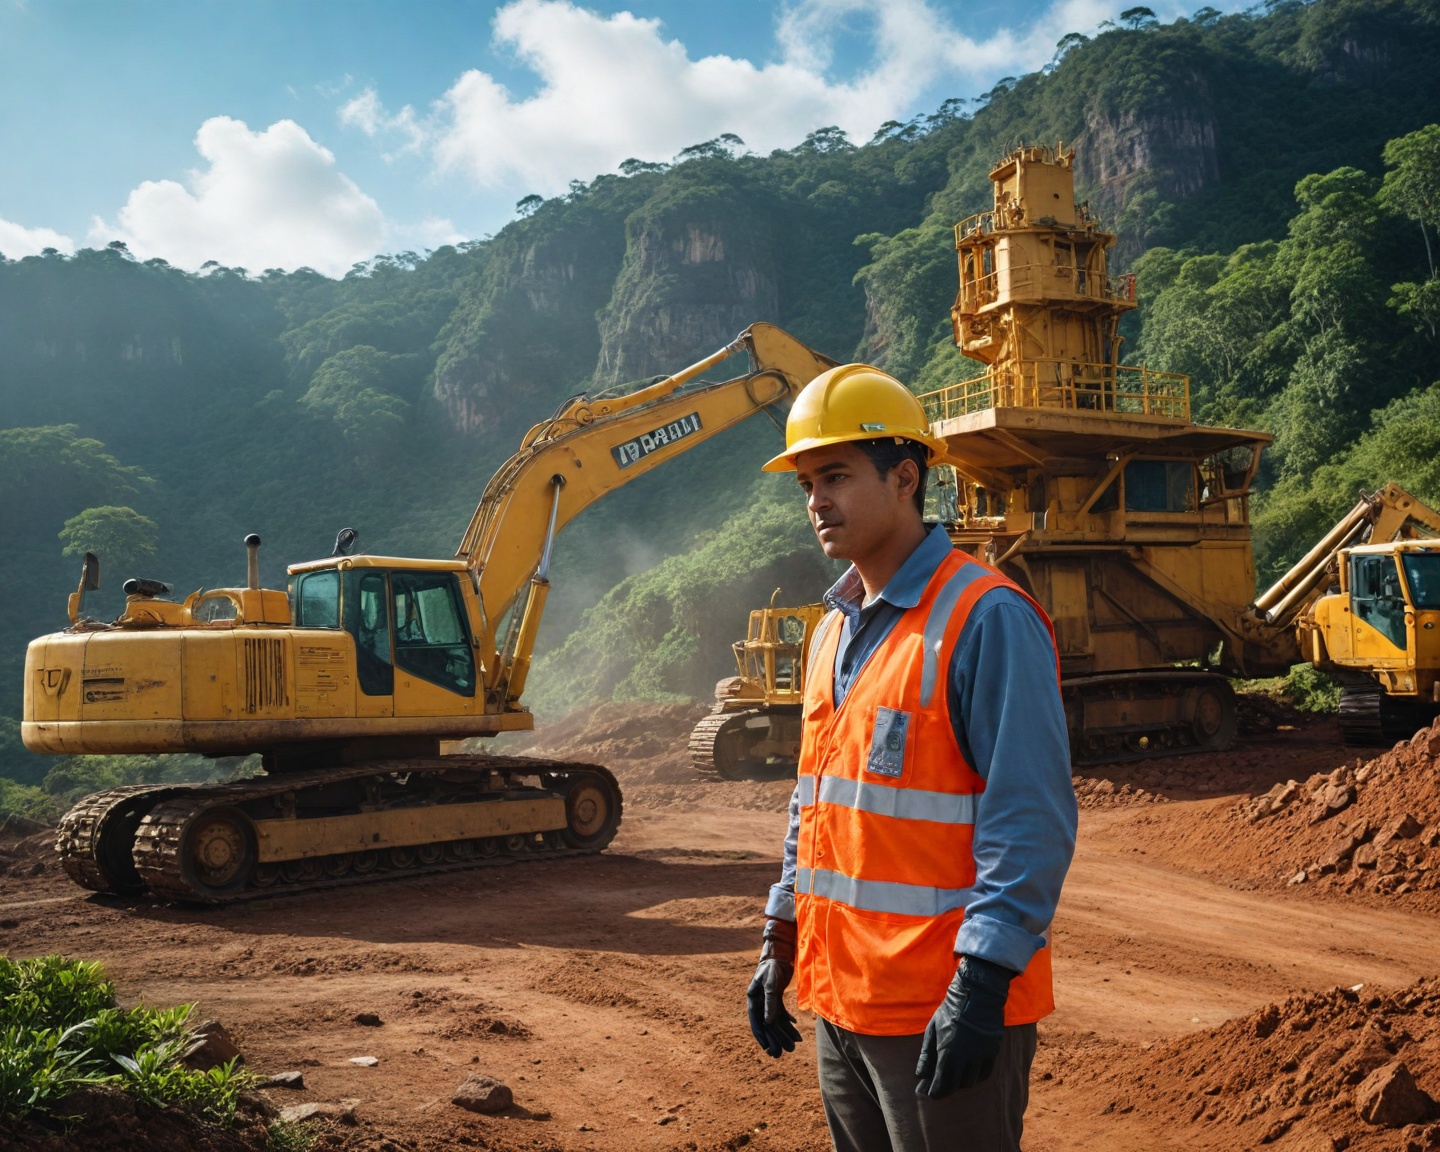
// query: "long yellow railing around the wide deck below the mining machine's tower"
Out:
[1052,384]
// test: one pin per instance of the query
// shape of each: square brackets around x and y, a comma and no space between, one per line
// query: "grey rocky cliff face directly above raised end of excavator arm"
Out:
[689,284]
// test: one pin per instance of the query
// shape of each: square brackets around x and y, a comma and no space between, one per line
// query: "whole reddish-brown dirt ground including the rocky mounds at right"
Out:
[1246,958]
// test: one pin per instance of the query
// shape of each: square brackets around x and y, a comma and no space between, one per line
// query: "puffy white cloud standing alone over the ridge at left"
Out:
[267,199]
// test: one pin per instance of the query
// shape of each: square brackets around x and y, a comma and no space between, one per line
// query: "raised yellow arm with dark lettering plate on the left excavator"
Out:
[588,450]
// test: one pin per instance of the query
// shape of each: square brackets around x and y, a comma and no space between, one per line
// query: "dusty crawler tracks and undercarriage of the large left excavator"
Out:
[208,843]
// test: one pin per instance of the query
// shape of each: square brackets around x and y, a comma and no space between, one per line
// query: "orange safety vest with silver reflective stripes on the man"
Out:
[888,823]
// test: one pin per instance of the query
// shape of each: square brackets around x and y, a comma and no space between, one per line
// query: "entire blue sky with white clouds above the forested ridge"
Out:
[279,133]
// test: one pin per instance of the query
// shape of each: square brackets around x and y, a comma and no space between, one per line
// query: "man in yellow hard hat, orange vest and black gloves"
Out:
[934,819]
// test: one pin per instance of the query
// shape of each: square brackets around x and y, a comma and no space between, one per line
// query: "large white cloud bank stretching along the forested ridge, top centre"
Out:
[613,87]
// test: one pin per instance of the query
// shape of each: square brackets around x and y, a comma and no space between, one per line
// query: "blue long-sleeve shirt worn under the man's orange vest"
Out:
[1012,728]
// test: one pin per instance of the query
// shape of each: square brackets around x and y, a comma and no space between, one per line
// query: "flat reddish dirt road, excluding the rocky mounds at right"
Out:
[608,993]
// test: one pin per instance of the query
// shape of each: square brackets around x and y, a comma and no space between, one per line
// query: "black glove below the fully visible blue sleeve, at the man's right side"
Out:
[963,1039]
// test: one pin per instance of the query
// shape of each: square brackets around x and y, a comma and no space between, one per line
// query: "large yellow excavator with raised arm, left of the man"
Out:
[348,683]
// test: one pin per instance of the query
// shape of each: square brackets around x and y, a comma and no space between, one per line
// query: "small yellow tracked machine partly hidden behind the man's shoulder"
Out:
[755,725]
